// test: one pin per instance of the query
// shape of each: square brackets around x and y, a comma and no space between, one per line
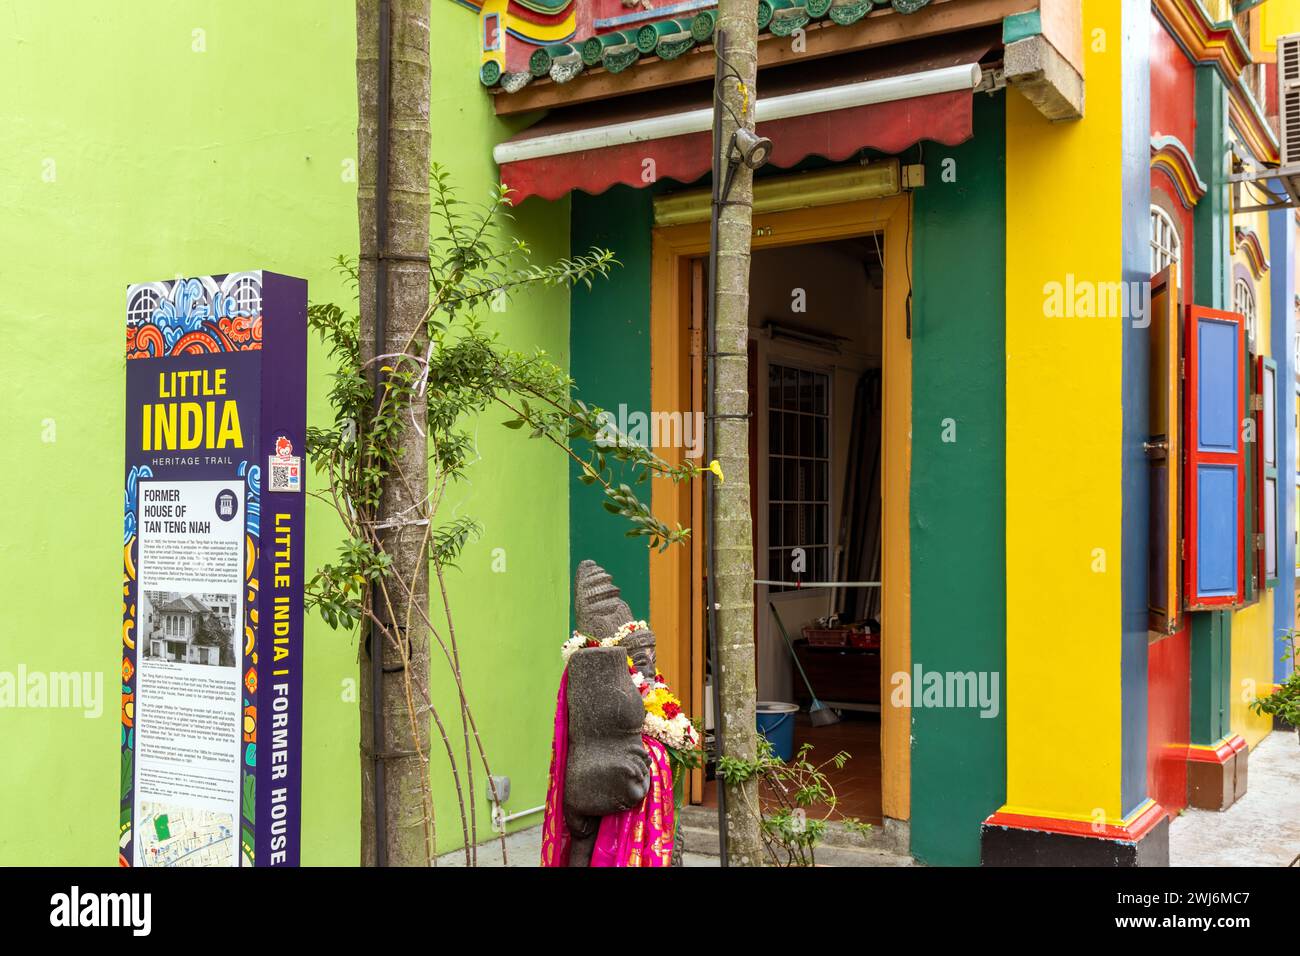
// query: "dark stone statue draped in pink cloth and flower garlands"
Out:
[610,802]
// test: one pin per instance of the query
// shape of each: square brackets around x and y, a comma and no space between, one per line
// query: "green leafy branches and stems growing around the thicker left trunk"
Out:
[450,371]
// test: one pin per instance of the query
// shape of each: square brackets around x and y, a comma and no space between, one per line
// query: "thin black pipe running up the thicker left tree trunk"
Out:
[382,305]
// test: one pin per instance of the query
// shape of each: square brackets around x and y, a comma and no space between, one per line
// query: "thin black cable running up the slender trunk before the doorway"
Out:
[712,442]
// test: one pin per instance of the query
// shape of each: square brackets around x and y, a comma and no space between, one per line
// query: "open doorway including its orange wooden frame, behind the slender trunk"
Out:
[830,367]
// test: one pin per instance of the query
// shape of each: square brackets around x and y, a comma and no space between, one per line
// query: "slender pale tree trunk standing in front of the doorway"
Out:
[735,556]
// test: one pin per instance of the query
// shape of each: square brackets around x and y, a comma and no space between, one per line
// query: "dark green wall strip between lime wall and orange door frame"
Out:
[610,340]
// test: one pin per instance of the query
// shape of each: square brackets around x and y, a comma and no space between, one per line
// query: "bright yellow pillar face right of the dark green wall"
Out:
[1063,438]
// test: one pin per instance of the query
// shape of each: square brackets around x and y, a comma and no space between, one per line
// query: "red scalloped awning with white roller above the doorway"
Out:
[883,106]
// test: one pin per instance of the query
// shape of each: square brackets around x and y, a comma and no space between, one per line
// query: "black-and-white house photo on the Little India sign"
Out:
[187,628]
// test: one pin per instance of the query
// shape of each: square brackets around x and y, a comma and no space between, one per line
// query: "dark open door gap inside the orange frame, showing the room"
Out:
[816,448]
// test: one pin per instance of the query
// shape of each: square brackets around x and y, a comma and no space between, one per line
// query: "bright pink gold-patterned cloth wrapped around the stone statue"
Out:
[642,837]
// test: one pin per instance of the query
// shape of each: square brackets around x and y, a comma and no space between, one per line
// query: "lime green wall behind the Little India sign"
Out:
[140,149]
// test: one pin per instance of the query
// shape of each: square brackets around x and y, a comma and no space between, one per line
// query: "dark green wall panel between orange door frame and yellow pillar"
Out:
[959,488]
